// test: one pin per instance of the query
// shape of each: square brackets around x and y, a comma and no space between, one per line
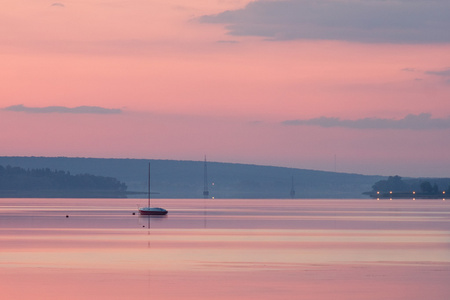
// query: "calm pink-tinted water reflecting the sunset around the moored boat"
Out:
[225,249]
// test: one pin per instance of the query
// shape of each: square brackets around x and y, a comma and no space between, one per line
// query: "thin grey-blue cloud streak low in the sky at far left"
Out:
[65,110]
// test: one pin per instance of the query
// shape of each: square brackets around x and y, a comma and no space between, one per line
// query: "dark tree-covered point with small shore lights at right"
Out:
[396,186]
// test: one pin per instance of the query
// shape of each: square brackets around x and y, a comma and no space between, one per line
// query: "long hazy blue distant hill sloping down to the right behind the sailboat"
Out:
[184,179]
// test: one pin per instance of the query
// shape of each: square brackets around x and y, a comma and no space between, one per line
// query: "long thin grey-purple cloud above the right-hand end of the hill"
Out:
[422,121]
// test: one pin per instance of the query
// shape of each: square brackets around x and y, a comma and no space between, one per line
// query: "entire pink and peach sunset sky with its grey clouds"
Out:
[355,86]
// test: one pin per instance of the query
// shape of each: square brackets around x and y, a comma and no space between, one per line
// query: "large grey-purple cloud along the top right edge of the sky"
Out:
[365,21]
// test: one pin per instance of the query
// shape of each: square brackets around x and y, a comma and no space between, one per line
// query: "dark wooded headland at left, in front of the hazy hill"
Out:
[30,182]
